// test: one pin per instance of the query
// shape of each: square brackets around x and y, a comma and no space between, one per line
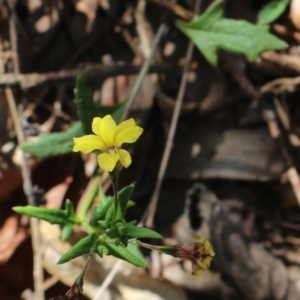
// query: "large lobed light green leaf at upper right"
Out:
[211,32]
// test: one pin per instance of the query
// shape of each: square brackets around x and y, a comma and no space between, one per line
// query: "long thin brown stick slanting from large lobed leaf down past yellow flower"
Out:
[163,166]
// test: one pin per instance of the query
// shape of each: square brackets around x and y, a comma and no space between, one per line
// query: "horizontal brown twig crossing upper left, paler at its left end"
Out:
[95,71]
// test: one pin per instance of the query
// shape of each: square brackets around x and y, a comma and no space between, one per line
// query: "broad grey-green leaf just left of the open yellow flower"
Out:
[53,144]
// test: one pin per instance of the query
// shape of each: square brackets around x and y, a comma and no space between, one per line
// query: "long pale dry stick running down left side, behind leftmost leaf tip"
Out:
[38,275]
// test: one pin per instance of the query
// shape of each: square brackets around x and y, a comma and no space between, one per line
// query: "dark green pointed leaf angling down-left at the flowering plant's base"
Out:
[84,246]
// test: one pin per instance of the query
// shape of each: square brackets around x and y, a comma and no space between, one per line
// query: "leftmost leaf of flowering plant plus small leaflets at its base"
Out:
[66,217]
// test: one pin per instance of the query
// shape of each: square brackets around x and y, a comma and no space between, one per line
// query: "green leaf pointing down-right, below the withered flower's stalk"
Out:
[123,253]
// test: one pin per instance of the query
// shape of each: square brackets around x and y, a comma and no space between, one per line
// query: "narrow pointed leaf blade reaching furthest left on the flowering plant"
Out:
[51,215]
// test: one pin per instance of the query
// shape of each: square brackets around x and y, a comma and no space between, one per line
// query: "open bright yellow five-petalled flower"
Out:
[108,139]
